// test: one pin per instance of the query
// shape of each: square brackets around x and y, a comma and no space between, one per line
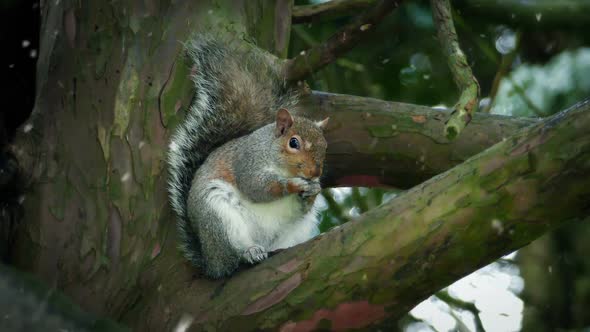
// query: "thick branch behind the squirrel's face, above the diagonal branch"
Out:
[373,142]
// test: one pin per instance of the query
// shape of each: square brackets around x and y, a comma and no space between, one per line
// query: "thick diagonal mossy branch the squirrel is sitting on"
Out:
[391,258]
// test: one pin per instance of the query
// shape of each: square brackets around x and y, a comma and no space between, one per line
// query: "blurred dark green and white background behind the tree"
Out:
[531,58]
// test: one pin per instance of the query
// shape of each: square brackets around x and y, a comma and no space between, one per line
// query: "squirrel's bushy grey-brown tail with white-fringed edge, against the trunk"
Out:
[237,91]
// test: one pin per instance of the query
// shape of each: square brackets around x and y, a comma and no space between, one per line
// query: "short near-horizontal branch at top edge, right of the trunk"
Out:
[329,9]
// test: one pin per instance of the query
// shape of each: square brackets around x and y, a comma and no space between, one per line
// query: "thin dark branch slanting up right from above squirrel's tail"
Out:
[318,56]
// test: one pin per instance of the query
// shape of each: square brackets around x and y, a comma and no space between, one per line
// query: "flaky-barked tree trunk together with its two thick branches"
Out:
[112,86]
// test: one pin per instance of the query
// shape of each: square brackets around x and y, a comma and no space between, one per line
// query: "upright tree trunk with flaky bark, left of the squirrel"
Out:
[112,85]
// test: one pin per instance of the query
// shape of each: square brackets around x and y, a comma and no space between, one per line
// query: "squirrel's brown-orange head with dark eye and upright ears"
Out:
[302,144]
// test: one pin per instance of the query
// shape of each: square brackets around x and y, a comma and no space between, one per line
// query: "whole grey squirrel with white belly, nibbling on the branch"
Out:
[241,191]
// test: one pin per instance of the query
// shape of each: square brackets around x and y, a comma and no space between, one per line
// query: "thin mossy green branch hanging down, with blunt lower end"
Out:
[466,82]
